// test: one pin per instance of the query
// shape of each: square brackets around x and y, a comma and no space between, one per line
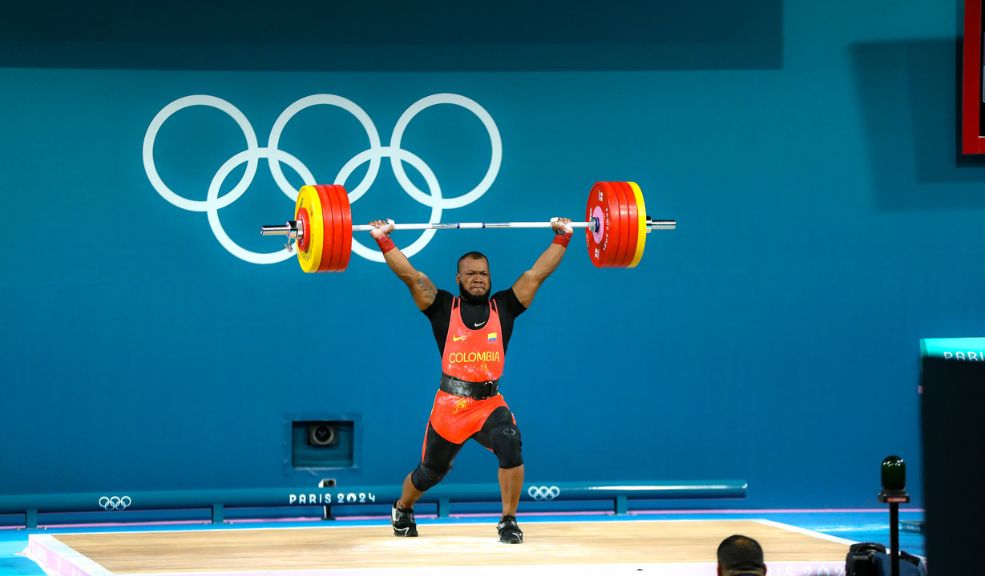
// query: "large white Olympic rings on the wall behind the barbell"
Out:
[275,157]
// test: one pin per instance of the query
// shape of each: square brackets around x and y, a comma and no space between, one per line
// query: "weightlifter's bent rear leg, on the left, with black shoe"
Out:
[436,457]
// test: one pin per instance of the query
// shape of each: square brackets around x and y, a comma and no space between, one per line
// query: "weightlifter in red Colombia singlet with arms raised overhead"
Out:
[472,331]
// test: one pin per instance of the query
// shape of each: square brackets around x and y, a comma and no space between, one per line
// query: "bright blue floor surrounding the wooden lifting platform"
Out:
[857,526]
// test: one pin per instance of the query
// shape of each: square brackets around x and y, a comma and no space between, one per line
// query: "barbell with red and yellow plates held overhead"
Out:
[615,226]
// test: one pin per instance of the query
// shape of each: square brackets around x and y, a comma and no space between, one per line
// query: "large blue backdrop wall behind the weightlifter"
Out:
[826,225]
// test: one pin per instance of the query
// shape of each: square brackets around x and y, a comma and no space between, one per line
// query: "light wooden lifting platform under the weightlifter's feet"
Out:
[635,545]
